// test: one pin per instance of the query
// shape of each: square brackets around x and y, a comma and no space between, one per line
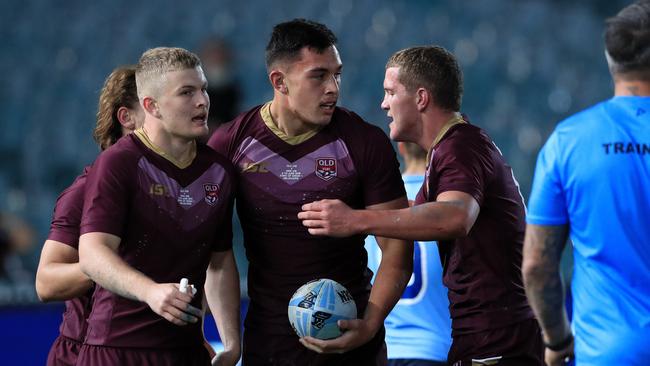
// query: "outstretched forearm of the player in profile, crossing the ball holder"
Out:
[429,221]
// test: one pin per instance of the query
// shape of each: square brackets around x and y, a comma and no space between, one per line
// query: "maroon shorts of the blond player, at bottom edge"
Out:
[102,355]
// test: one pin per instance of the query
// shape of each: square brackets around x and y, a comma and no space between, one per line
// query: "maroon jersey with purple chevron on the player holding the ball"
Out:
[348,159]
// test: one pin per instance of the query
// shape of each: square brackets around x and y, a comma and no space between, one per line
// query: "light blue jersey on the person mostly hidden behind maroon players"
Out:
[419,327]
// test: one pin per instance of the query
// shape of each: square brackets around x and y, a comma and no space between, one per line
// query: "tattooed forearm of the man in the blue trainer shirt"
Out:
[542,252]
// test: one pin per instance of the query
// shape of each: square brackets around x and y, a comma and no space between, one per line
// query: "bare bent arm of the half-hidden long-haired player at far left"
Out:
[59,276]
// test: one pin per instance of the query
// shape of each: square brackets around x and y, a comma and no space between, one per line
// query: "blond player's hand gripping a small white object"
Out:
[166,300]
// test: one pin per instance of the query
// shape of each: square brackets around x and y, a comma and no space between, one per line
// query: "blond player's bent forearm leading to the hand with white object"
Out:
[100,262]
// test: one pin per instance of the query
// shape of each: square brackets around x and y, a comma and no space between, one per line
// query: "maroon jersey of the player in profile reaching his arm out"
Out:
[482,270]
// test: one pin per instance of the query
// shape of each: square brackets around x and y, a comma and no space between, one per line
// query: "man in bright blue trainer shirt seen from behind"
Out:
[592,185]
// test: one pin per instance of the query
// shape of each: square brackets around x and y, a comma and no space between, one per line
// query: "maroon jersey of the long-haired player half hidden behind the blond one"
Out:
[65,229]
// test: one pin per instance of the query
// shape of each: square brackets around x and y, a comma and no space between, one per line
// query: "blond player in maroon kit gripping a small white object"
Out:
[157,208]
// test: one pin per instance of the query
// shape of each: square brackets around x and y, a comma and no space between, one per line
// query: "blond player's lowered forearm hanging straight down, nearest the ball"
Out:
[223,295]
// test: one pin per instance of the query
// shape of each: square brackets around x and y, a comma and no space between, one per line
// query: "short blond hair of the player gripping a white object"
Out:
[156,62]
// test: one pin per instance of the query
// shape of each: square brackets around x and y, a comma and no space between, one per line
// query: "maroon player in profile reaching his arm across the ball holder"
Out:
[470,203]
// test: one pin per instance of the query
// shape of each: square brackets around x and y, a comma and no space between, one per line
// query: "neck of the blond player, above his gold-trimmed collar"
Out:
[180,151]
